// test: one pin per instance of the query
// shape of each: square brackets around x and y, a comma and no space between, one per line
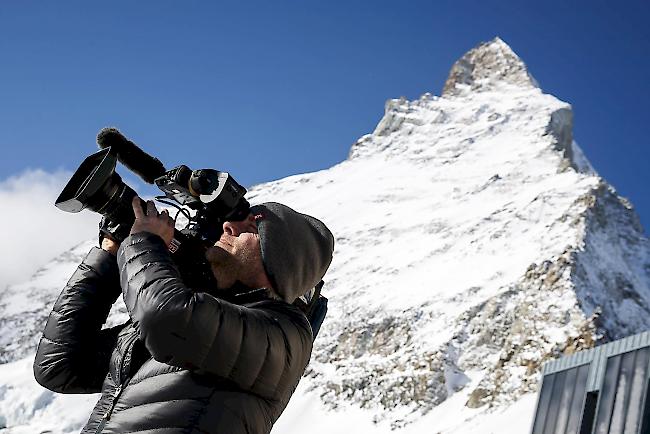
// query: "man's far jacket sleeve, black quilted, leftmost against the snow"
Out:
[74,352]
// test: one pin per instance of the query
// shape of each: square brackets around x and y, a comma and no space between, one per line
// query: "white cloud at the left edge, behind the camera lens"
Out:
[32,229]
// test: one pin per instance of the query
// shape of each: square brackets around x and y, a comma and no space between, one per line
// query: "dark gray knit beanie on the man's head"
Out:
[296,248]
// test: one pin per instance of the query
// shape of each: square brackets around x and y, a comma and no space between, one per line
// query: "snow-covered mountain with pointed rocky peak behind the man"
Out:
[474,241]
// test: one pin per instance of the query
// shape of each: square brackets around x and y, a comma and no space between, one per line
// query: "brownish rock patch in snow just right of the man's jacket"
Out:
[381,367]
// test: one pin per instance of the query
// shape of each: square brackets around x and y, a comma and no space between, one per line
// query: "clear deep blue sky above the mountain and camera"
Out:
[269,89]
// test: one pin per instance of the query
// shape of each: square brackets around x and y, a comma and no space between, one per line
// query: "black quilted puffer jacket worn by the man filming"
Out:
[186,362]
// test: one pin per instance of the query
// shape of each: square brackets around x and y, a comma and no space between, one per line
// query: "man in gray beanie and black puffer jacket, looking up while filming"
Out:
[189,362]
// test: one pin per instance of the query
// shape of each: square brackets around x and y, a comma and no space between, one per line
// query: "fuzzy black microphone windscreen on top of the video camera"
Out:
[135,159]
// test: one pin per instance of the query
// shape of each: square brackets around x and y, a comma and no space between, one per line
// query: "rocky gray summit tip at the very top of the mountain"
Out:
[485,66]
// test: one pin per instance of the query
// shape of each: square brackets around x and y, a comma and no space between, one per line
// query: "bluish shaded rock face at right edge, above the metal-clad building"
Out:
[621,298]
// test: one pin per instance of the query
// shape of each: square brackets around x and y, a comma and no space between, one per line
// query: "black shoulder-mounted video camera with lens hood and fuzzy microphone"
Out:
[212,197]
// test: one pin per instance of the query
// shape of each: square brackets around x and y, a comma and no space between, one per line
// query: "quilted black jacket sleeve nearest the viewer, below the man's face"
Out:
[262,348]
